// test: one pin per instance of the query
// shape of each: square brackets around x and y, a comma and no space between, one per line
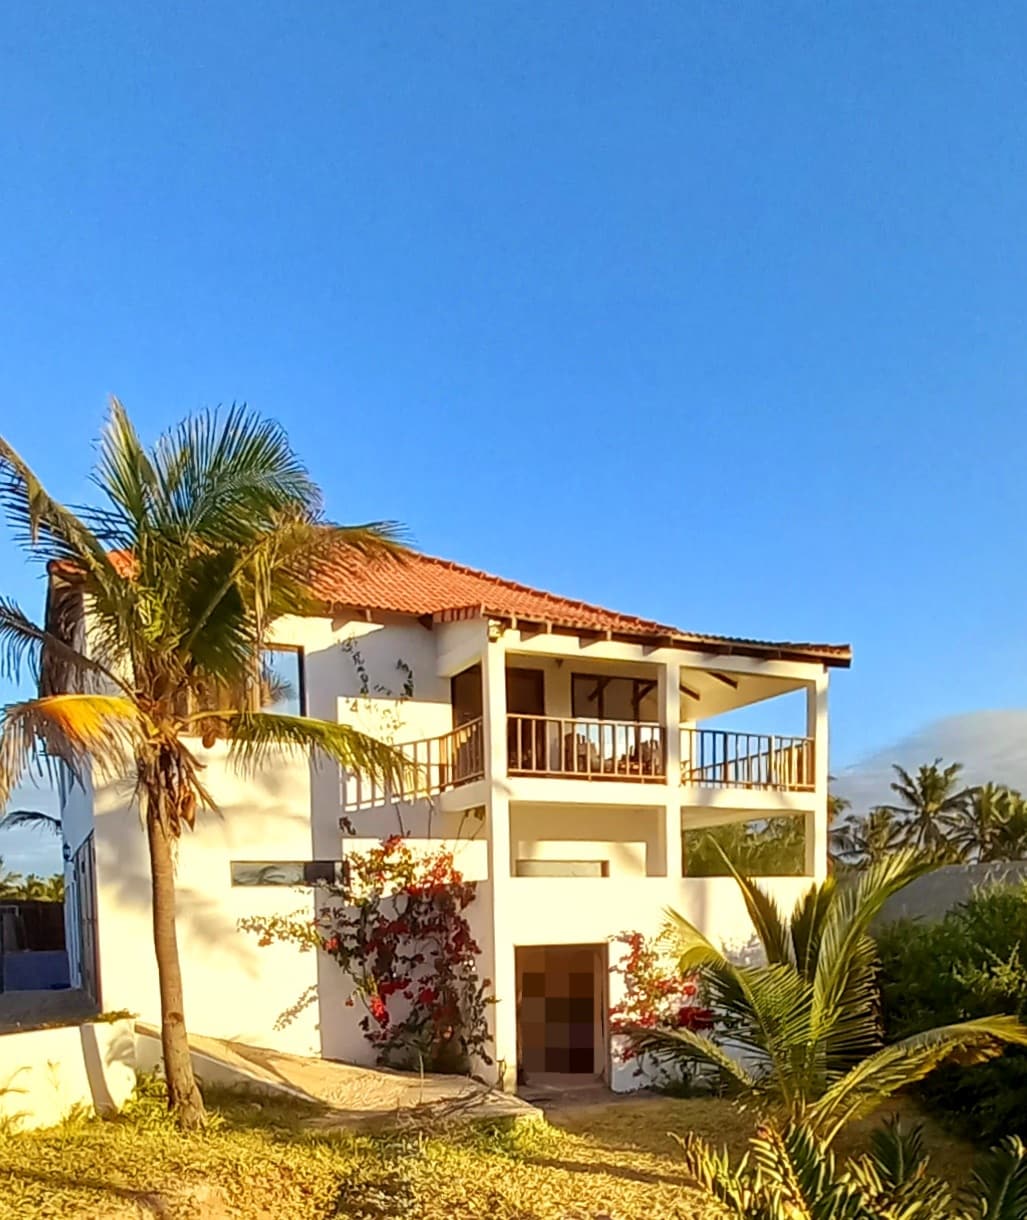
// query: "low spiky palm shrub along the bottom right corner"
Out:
[792,1174]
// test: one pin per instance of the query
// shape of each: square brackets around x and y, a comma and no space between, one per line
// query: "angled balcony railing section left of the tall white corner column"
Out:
[437,764]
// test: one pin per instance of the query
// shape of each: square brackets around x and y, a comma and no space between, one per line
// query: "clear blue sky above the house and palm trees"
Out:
[712,313]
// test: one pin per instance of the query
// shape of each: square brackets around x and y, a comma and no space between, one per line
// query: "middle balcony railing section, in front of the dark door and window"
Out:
[586,750]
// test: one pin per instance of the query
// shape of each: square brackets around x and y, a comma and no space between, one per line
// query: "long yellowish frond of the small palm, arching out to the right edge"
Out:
[878,1078]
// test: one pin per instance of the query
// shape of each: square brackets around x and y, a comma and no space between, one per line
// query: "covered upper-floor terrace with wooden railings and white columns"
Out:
[582,720]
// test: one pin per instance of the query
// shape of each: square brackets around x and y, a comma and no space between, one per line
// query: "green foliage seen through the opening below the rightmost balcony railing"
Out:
[771,847]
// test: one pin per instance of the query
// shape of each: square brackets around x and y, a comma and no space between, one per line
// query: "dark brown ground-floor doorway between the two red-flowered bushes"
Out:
[562,1016]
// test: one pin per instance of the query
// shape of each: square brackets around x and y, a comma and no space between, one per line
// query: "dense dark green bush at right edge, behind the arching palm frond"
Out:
[970,964]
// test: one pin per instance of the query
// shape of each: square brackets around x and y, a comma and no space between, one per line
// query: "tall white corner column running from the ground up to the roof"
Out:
[504,1012]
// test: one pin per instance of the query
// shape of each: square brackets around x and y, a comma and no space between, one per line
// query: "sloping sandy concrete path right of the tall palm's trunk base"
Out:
[351,1096]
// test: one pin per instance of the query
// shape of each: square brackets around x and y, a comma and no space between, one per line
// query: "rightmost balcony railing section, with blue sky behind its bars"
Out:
[715,759]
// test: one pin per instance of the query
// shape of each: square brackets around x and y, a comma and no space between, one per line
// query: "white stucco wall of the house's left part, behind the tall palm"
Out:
[287,812]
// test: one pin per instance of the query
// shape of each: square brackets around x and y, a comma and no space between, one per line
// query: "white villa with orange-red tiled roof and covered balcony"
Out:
[571,755]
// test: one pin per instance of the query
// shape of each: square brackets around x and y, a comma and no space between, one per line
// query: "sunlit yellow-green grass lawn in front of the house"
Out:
[264,1163]
